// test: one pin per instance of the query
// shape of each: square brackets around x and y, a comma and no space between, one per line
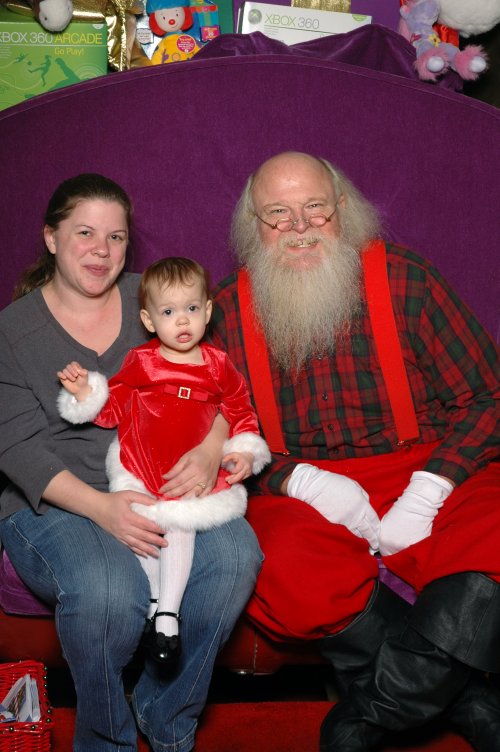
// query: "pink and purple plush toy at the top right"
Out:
[435,57]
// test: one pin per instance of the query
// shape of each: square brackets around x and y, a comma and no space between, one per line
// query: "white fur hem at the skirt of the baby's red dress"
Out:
[184,514]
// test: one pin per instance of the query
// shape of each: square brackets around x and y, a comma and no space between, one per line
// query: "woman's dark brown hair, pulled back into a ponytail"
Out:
[67,195]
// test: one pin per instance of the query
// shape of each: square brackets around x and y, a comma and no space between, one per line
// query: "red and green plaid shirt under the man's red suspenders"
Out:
[338,406]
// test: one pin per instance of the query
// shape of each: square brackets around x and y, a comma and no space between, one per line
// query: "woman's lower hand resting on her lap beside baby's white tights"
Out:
[141,535]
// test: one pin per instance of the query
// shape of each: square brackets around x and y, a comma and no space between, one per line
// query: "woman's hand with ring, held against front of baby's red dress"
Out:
[195,473]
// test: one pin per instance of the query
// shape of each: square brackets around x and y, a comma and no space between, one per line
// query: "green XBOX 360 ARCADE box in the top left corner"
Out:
[34,60]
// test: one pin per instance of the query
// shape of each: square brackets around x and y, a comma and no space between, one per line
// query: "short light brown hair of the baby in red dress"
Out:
[175,270]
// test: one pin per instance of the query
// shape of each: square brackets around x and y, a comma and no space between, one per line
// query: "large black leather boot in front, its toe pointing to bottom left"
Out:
[419,675]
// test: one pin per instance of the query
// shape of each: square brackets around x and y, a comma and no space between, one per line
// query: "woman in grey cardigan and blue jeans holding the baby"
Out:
[71,540]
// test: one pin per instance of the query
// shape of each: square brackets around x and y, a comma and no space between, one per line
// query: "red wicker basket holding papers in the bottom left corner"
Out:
[26,737]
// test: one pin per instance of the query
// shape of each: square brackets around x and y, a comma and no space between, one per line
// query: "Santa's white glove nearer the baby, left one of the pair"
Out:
[339,499]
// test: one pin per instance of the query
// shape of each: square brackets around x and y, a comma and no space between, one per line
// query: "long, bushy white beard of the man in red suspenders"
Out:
[305,310]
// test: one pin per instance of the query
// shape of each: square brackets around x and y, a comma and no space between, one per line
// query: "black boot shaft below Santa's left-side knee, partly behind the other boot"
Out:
[352,650]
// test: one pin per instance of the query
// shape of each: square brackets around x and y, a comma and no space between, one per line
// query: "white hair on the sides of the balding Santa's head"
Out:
[358,219]
